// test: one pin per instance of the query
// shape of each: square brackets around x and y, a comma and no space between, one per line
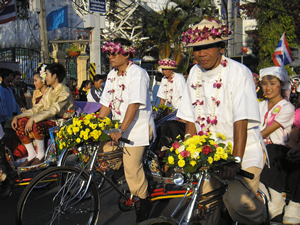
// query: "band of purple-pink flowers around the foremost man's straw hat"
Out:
[192,36]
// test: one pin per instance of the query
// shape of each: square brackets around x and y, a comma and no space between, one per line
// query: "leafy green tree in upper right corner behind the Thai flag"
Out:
[274,17]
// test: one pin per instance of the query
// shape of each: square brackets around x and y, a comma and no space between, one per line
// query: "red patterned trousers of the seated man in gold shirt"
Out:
[39,130]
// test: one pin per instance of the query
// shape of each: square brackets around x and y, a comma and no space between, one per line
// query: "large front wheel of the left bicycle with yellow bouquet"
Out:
[63,201]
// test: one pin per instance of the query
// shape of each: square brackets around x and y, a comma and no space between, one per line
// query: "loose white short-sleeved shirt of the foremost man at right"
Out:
[237,102]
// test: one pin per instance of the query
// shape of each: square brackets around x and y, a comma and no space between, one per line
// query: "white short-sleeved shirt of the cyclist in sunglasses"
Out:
[136,91]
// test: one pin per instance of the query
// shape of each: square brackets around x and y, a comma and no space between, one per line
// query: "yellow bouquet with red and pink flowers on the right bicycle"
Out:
[198,151]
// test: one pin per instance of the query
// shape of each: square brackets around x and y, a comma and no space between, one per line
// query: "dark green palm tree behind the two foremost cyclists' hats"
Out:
[165,28]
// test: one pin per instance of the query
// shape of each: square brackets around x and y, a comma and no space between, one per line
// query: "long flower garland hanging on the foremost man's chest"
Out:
[206,123]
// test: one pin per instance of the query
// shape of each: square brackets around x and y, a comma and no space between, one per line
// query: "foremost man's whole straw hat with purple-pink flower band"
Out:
[205,33]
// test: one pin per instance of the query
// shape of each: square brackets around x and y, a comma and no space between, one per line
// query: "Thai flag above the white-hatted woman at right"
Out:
[282,54]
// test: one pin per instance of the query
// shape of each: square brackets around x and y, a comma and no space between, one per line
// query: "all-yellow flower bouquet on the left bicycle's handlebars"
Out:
[84,128]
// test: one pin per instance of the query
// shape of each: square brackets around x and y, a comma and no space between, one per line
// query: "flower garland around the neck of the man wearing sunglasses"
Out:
[117,100]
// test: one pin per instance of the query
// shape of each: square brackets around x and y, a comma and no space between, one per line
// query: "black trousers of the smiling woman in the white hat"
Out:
[282,173]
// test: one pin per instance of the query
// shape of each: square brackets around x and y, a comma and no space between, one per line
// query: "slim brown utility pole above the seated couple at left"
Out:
[43,34]
